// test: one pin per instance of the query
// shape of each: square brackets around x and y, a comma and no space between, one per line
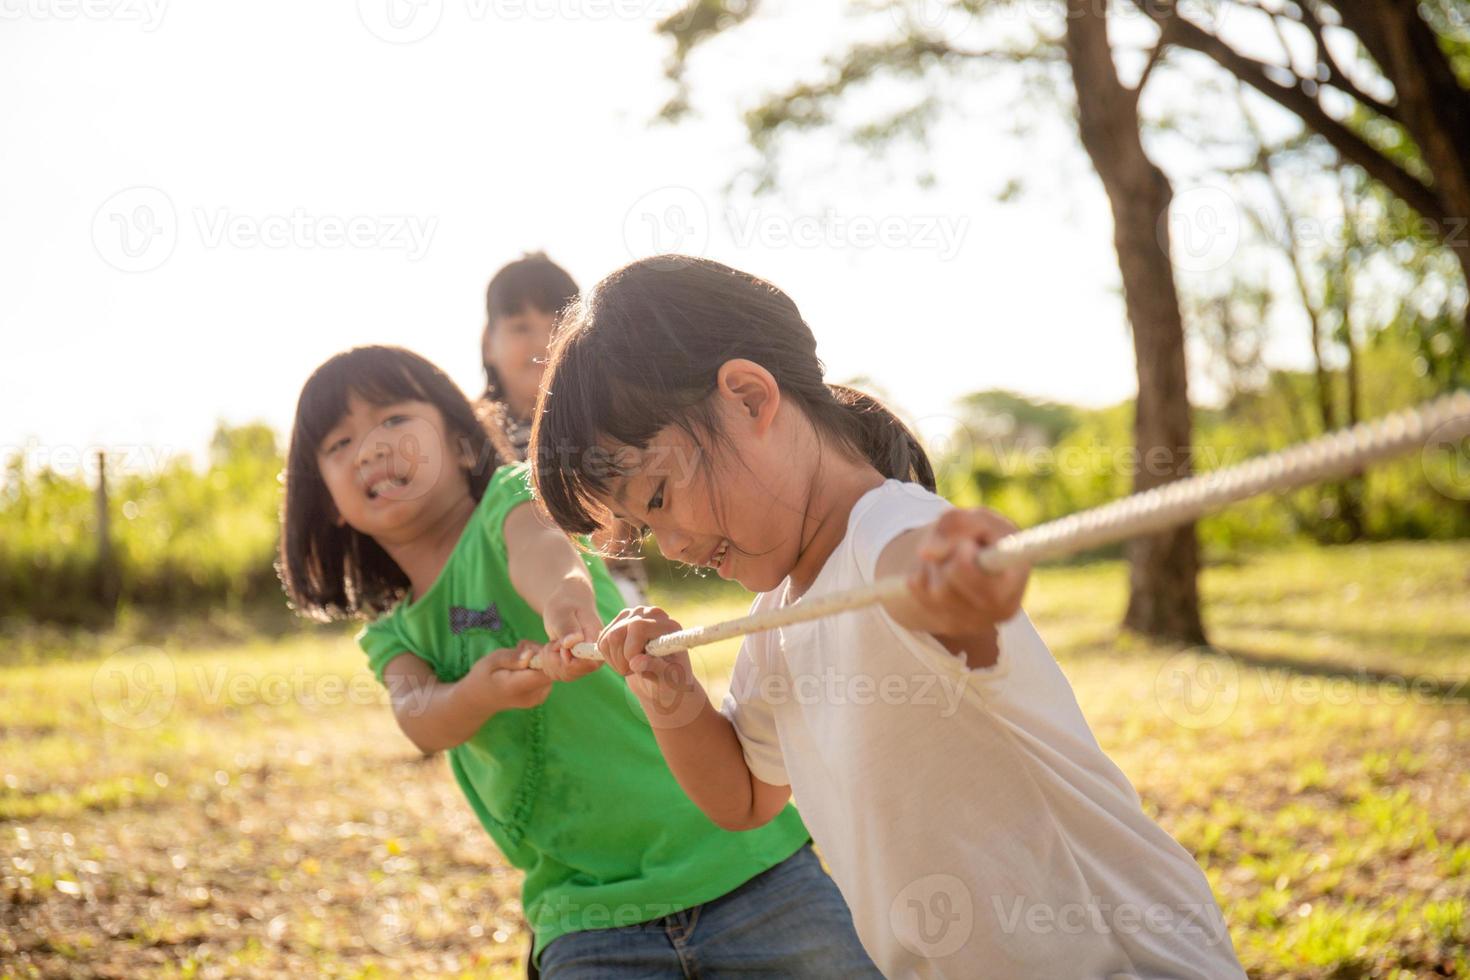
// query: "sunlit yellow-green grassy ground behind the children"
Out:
[251,809]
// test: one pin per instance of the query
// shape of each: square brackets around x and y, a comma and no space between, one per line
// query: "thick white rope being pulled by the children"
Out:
[1325,458]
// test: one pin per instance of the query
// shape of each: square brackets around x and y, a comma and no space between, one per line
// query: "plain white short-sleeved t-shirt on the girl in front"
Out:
[968,816]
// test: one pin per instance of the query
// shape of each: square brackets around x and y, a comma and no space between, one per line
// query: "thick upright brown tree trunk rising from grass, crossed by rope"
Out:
[1164,569]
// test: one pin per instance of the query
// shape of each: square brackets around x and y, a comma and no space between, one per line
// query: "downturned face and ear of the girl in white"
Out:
[742,514]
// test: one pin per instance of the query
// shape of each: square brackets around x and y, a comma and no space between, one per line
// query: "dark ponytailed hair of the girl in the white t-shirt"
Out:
[643,352]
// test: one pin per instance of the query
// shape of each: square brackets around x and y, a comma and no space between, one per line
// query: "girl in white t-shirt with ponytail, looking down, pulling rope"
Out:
[933,744]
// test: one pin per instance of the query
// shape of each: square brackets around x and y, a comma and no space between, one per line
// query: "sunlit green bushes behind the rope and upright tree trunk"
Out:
[1090,461]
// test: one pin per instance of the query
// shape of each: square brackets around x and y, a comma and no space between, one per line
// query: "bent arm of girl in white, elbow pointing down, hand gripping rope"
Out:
[698,741]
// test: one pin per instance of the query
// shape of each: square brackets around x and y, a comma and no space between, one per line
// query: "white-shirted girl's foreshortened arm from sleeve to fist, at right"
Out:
[949,594]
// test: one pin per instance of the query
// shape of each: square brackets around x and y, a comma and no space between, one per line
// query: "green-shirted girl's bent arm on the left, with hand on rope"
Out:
[439,716]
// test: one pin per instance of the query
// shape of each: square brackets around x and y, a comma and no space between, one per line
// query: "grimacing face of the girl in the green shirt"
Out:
[387,466]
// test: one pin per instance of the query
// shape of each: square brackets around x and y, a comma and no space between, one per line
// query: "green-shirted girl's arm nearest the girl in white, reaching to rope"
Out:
[549,574]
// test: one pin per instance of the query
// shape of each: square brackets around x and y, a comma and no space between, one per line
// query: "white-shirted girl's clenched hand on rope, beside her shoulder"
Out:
[956,594]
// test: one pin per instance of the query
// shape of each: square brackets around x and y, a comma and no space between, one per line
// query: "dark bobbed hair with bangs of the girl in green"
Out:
[336,572]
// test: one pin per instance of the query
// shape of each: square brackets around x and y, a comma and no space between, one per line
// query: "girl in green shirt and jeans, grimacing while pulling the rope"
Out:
[396,512]
